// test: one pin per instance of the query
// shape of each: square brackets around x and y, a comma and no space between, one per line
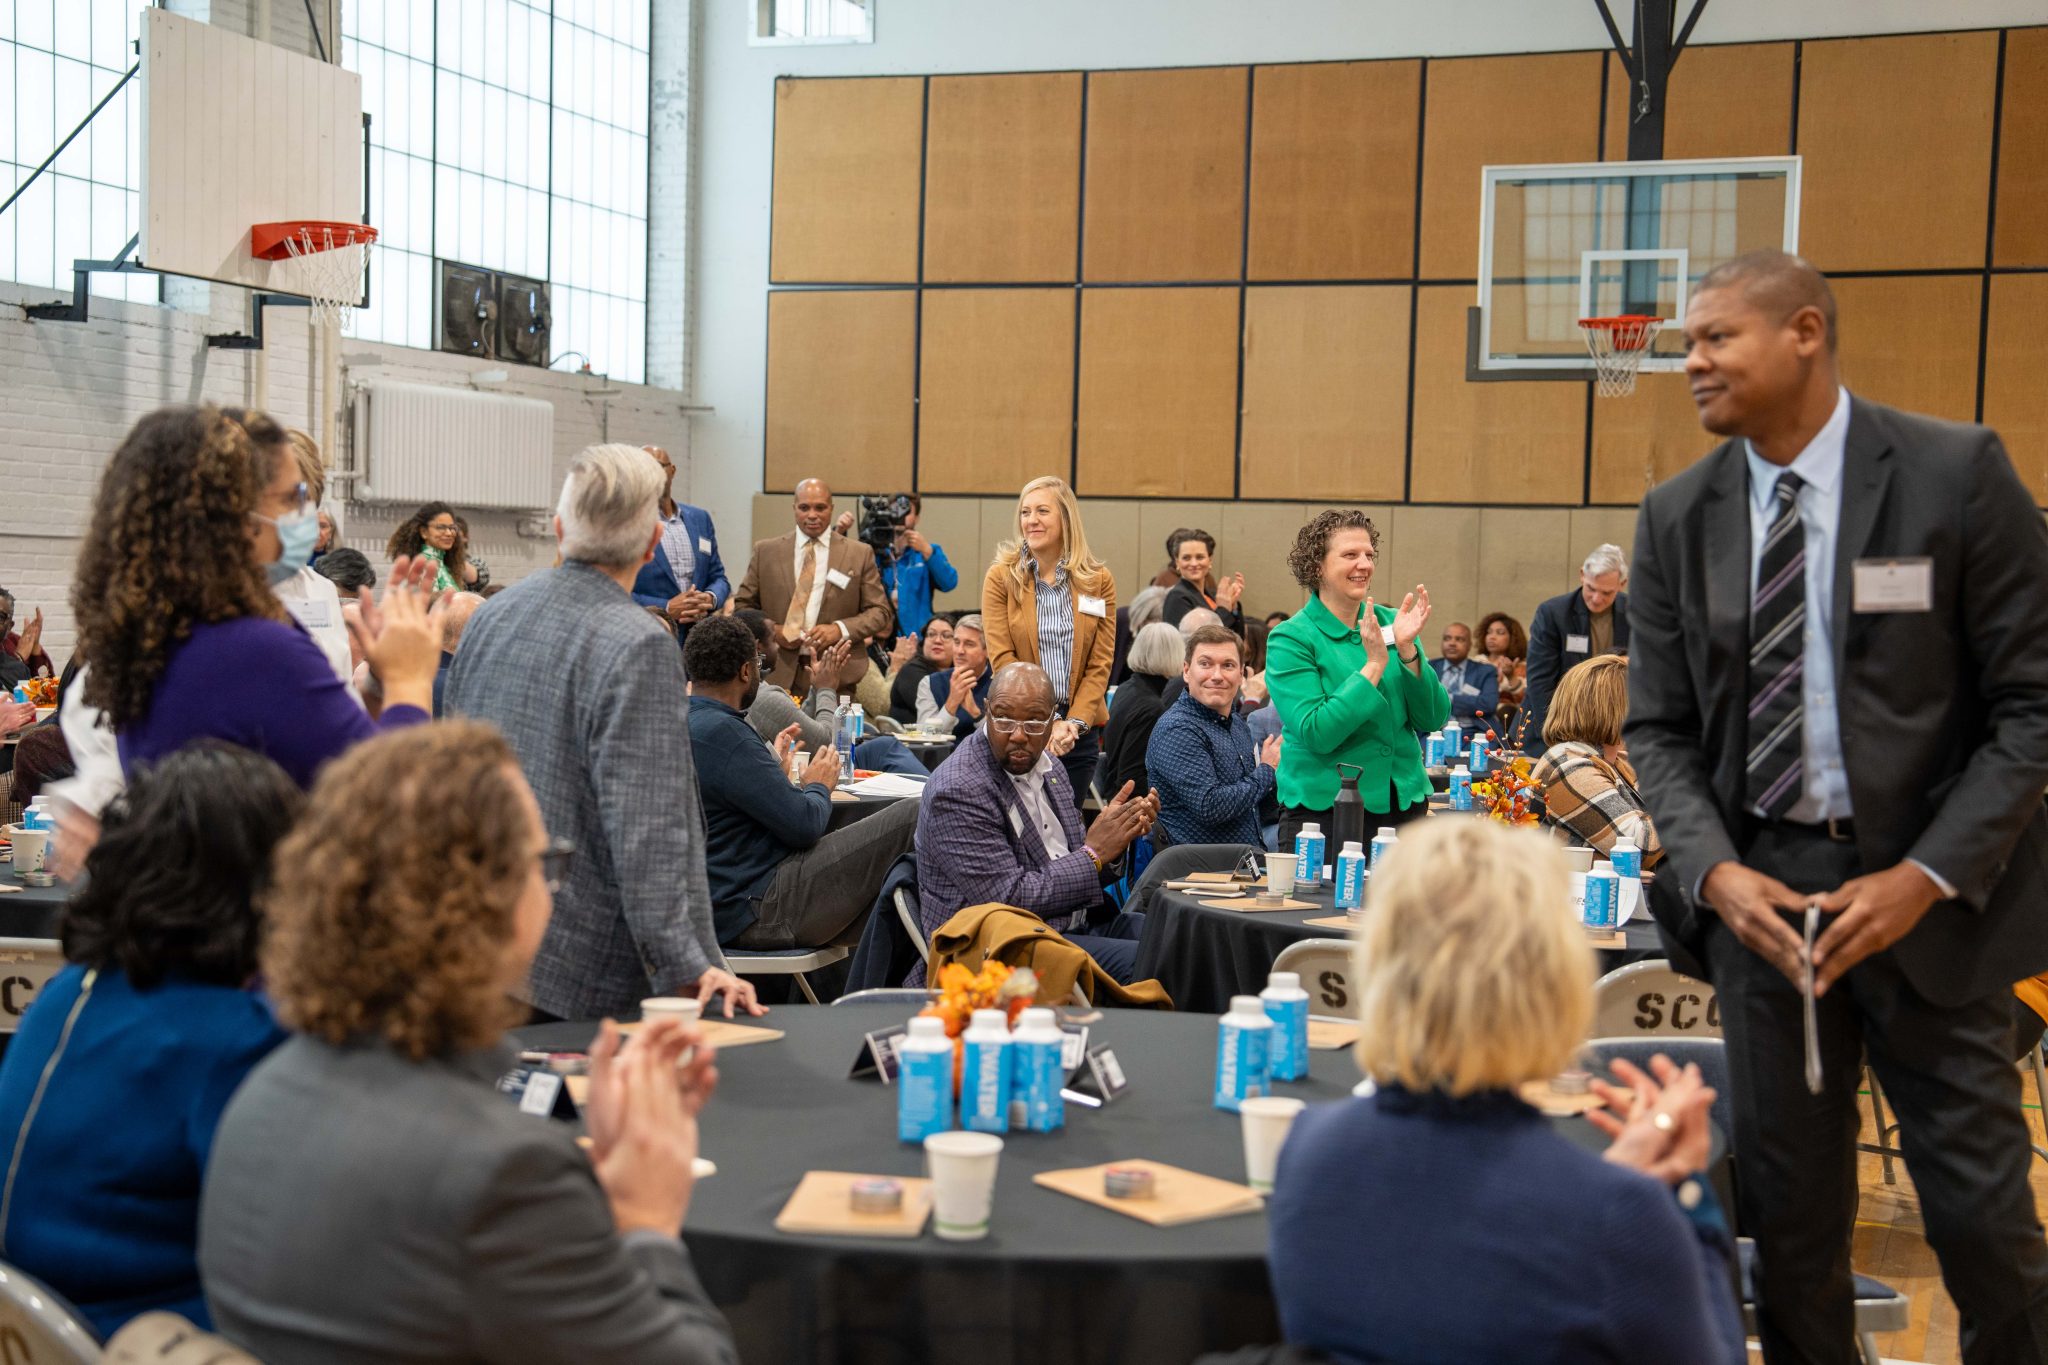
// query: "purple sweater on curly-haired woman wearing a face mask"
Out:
[261,685]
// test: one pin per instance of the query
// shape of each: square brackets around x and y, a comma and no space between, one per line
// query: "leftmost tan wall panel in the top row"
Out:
[847,175]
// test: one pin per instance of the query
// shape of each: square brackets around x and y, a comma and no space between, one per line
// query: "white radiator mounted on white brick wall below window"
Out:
[425,443]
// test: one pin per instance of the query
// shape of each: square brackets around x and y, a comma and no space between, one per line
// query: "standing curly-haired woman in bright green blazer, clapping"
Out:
[1338,693]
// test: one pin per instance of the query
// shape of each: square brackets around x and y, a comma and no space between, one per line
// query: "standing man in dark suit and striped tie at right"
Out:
[1840,699]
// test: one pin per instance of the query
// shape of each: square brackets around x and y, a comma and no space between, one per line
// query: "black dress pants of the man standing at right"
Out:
[1951,1082]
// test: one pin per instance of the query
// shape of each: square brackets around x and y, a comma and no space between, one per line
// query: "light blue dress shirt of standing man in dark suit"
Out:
[1826,787]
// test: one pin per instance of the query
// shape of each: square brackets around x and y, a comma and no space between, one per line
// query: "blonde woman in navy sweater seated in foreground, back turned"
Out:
[1443,1219]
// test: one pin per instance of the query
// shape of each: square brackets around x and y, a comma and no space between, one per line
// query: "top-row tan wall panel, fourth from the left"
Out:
[1334,171]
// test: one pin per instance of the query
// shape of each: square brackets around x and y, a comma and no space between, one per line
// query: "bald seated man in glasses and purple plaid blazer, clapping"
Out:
[1000,826]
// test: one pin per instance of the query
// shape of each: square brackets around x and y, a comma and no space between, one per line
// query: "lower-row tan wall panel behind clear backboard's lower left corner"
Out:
[1504,443]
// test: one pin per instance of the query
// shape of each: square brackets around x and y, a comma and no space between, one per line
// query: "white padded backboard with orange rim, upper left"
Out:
[239,132]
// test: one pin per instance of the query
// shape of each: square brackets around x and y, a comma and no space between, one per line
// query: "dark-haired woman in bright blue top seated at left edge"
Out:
[126,1059]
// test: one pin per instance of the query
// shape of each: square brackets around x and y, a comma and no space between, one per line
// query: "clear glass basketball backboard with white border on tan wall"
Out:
[1613,238]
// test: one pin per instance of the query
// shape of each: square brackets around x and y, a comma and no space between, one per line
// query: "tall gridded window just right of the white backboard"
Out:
[511,136]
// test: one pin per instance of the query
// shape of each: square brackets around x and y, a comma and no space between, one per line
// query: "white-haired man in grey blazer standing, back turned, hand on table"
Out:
[603,736]
